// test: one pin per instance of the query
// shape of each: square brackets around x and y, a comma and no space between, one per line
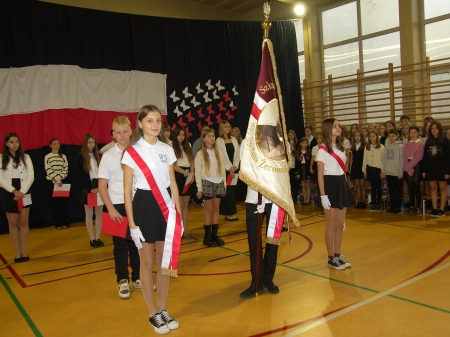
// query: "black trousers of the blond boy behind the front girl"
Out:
[124,247]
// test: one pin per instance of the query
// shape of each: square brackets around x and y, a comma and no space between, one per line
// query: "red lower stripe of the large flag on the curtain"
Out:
[69,125]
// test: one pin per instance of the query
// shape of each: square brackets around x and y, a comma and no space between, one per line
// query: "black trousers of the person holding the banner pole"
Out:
[268,261]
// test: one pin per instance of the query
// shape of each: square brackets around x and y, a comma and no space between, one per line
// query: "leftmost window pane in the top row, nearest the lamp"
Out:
[340,23]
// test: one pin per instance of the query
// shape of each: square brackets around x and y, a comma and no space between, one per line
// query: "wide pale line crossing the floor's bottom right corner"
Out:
[370,300]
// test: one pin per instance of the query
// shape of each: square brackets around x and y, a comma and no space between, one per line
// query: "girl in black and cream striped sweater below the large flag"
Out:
[57,169]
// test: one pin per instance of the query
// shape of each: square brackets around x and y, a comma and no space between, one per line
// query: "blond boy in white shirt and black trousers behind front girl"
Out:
[110,187]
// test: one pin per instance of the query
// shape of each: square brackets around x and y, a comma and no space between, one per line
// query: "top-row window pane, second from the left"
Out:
[378,15]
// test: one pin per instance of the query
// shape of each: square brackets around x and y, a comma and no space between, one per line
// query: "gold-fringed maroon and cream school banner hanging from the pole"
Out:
[265,163]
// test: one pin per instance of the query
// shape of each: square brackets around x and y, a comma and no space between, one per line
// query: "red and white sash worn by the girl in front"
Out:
[174,229]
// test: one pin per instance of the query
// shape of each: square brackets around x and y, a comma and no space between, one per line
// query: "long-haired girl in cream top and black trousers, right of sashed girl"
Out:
[373,167]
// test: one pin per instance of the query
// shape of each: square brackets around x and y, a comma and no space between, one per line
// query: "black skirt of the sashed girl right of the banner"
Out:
[338,191]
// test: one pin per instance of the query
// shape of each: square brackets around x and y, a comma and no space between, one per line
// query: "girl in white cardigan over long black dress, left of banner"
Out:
[229,148]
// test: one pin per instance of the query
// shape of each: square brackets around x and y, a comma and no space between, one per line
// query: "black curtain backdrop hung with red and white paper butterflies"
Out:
[191,53]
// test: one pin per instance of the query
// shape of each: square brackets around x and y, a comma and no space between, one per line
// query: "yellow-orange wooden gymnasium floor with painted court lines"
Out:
[398,284]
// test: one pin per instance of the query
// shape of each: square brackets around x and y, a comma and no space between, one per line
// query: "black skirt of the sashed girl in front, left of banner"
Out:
[148,216]
